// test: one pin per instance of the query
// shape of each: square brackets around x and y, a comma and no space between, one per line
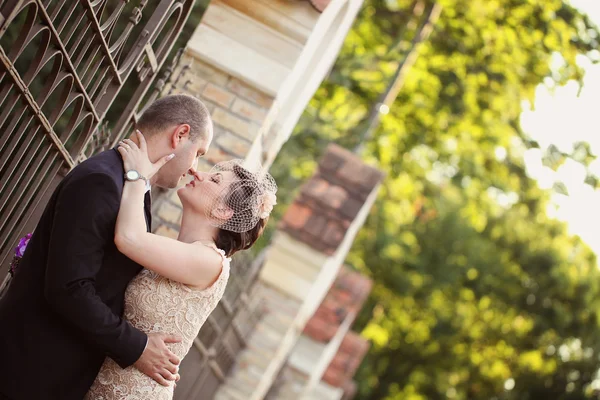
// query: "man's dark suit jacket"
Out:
[62,312]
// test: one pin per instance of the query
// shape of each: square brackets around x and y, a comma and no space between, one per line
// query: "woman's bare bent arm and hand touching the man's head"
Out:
[192,264]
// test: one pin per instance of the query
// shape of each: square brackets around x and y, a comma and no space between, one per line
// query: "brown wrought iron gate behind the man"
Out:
[63,63]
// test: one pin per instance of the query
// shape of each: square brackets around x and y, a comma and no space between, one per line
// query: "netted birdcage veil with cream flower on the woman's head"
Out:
[250,195]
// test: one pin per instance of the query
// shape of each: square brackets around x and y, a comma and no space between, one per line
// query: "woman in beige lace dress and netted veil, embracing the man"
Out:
[224,211]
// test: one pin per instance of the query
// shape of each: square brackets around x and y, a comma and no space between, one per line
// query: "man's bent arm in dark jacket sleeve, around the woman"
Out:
[83,225]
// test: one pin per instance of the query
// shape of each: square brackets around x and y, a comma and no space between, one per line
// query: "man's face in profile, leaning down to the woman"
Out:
[186,153]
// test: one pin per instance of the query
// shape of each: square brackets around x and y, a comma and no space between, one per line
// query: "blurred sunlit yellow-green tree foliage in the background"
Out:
[476,289]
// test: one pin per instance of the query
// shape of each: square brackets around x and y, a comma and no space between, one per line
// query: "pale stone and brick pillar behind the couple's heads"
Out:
[248,60]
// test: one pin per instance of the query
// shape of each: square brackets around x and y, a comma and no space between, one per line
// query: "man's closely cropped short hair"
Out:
[174,110]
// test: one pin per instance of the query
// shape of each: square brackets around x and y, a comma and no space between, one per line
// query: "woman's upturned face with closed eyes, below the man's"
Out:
[207,191]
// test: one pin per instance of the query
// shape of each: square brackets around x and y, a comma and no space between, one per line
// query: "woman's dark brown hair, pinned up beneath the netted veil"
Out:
[232,242]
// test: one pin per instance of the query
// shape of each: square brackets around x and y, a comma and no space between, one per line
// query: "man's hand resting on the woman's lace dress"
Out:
[157,361]
